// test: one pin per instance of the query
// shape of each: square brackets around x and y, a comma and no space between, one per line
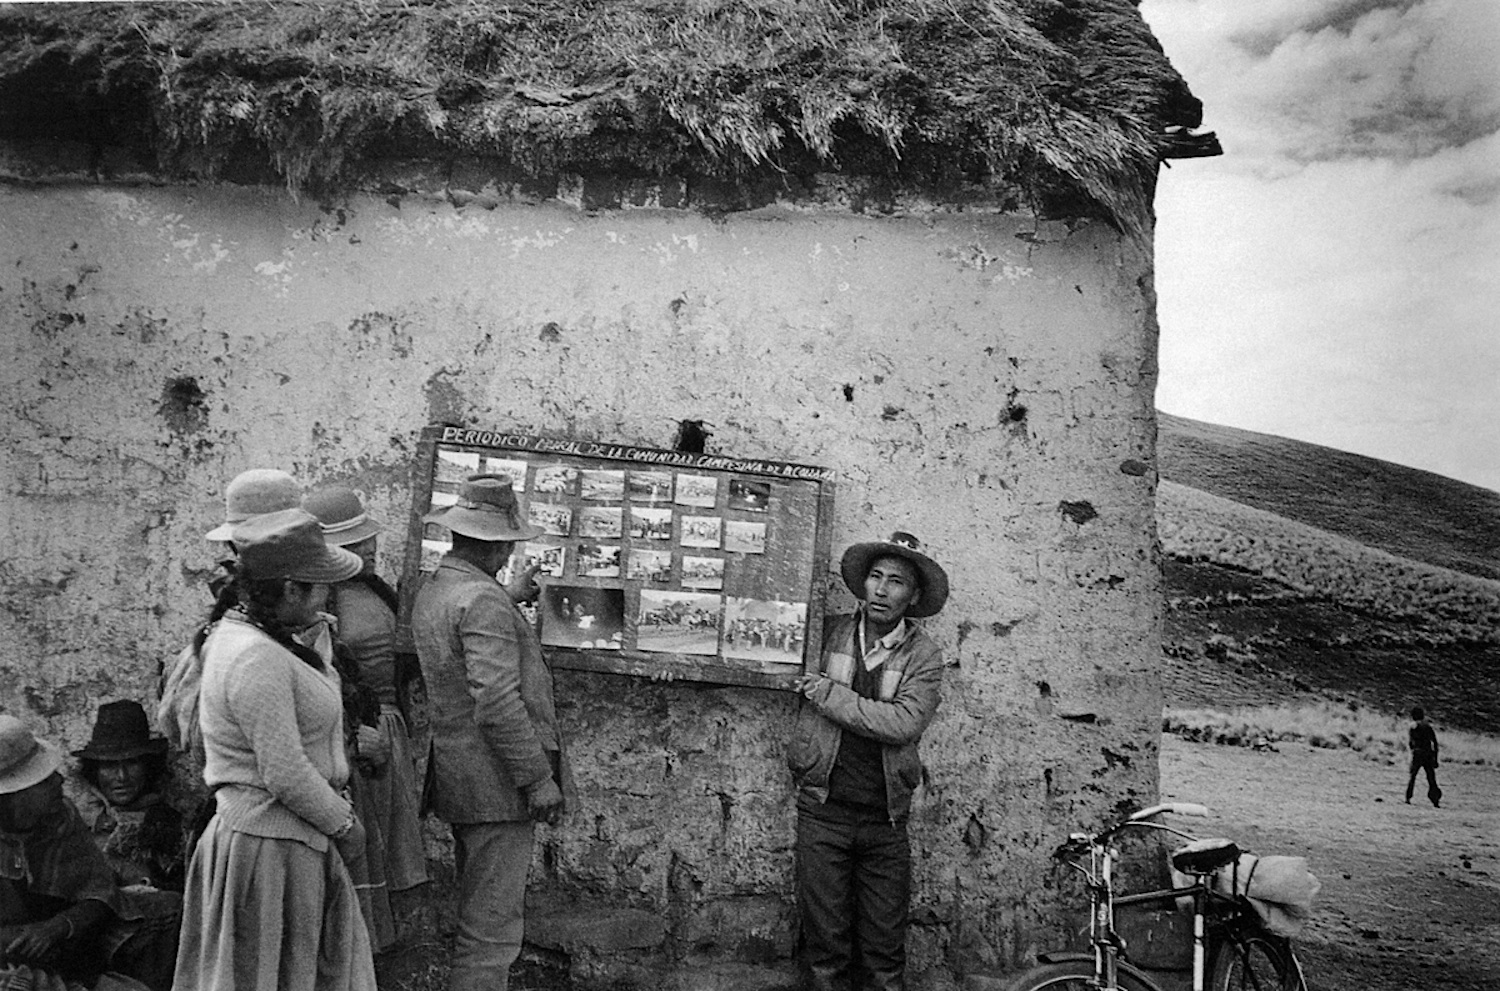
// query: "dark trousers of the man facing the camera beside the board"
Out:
[854,875]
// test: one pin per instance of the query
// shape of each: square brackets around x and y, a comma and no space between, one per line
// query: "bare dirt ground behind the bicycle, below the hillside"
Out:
[1411,893]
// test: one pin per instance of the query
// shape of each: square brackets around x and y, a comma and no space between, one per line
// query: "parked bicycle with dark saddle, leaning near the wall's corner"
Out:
[1232,951]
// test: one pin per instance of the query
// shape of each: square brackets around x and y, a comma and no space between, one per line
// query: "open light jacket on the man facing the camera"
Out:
[911,684]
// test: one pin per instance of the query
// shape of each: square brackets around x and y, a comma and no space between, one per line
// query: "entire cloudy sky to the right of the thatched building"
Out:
[1336,275]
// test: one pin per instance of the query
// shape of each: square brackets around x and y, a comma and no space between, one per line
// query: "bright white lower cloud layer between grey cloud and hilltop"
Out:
[1351,305]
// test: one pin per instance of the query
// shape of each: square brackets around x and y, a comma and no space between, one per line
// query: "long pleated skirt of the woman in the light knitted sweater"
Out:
[271,915]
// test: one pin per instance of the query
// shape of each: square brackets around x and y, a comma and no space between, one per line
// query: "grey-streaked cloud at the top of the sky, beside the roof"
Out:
[1309,80]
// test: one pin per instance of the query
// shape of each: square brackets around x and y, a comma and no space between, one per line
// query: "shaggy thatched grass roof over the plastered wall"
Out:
[1066,100]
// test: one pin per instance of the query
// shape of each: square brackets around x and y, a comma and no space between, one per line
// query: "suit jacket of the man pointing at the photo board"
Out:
[490,692]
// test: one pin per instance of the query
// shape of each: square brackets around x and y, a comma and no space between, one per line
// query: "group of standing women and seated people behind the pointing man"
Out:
[256,842]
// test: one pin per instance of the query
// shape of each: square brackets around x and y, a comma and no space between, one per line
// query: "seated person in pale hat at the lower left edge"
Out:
[61,908]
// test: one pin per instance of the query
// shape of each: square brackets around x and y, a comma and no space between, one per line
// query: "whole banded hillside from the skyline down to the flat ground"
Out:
[1276,594]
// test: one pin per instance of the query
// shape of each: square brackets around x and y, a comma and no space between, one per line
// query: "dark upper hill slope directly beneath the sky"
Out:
[1406,512]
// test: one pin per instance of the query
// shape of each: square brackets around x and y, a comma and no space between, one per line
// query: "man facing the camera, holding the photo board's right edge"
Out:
[854,758]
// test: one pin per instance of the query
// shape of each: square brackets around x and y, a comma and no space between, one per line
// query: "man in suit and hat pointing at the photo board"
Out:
[497,767]
